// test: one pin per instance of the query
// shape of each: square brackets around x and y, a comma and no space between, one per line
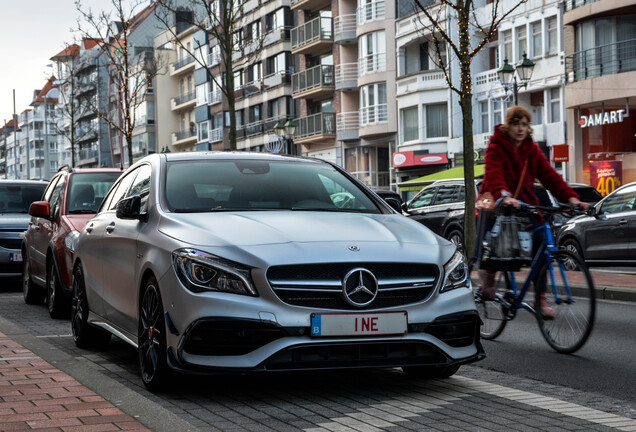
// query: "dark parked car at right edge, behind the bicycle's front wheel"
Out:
[607,237]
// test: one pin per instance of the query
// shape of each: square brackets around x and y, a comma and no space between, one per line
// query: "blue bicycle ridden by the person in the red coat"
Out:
[570,291]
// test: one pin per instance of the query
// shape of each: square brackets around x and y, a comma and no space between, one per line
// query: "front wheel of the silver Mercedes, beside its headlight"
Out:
[152,350]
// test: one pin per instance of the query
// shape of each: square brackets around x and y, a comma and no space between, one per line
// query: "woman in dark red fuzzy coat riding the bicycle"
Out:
[513,162]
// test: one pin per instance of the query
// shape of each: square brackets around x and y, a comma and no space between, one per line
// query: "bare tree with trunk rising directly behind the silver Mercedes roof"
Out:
[225,22]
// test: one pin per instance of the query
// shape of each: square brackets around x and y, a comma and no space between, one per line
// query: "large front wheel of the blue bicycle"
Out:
[574,308]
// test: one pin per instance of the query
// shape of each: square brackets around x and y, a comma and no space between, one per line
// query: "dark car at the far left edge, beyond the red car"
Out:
[15,198]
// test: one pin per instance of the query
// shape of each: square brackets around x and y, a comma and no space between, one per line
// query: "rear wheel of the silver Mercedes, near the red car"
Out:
[84,335]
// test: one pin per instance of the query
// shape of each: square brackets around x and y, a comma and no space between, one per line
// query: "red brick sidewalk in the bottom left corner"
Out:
[36,396]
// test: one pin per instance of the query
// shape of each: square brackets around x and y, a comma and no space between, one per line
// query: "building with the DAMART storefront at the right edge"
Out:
[600,91]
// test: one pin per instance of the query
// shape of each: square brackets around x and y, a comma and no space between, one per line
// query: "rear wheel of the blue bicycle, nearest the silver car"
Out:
[491,312]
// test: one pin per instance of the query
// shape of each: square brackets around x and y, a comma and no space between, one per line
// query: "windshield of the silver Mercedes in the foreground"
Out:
[221,185]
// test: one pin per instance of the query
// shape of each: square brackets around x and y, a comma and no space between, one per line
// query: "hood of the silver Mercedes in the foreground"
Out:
[277,227]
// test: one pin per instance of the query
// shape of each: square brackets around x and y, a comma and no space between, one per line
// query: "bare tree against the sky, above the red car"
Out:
[130,68]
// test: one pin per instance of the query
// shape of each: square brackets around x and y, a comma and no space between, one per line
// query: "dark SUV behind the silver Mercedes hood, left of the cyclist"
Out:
[440,207]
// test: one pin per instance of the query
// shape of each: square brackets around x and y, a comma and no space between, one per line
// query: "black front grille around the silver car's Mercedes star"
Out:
[320,285]
